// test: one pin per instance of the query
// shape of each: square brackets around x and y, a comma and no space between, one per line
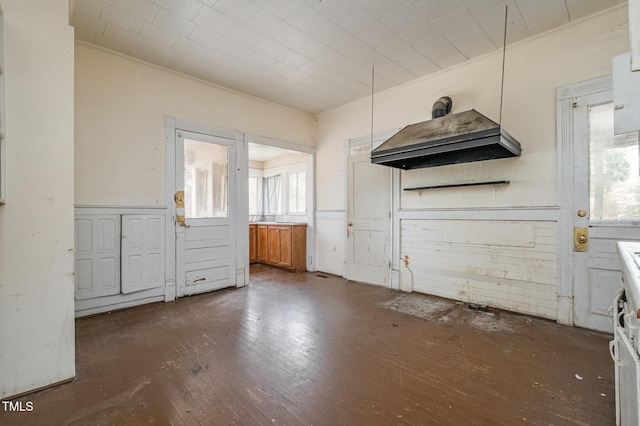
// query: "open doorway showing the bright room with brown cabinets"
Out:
[280,206]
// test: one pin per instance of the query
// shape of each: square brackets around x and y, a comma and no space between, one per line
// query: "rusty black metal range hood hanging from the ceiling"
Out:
[449,139]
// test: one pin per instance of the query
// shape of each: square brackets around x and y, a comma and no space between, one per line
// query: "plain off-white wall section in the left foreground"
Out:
[36,224]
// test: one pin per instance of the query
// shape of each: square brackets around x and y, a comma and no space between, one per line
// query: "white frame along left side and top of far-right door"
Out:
[565,102]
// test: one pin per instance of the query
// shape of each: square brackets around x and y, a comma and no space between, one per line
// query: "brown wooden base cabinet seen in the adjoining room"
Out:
[283,245]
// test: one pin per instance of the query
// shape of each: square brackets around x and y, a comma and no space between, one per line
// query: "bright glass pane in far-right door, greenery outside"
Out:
[614,168]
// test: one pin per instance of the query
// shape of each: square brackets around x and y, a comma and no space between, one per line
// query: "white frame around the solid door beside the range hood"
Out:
[354,147]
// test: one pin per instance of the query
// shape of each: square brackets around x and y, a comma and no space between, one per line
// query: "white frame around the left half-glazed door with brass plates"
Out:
[173,125]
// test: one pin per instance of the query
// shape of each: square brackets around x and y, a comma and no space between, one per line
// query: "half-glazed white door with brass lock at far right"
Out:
[606,206]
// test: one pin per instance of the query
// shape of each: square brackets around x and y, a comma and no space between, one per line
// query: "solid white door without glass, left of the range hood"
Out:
[368,221]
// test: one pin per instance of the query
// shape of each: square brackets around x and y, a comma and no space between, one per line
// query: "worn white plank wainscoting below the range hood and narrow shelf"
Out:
[503,258]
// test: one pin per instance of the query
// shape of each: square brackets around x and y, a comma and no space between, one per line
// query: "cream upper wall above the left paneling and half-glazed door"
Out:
[120,107]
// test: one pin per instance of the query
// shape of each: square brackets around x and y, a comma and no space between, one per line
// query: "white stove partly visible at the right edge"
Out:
[625,346]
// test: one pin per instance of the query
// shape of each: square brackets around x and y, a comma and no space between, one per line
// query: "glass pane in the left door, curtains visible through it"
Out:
[206,179]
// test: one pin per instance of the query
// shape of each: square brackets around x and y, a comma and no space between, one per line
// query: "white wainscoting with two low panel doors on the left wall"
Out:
[120,258]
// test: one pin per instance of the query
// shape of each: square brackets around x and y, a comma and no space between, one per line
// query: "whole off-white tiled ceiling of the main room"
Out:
[314,55]
